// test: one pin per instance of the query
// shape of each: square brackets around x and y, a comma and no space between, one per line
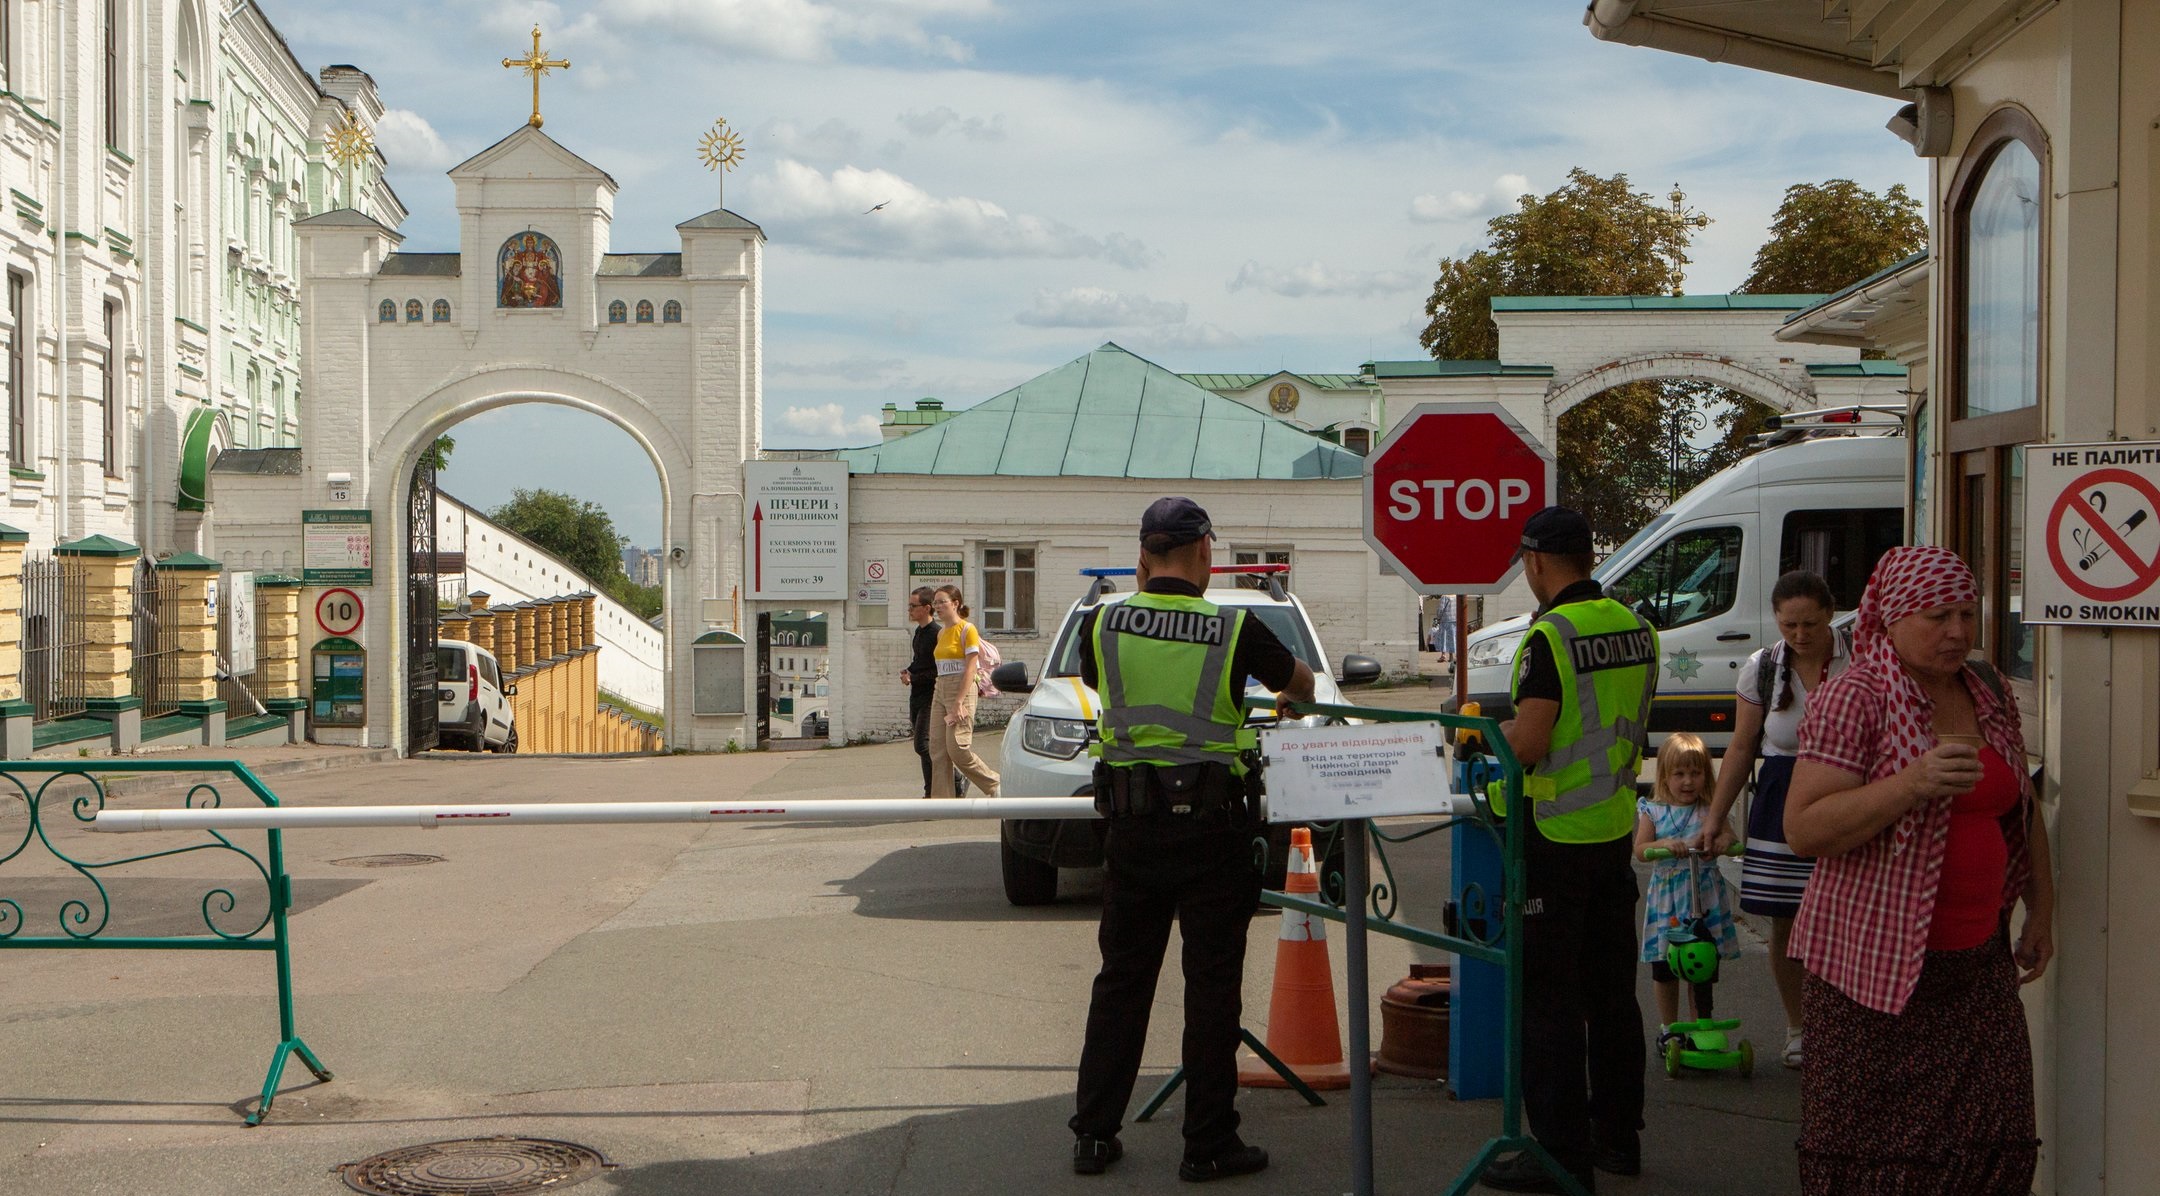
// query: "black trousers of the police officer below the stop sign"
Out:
[1580,1014]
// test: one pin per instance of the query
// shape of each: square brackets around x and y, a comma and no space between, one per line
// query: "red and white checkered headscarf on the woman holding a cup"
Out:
[1908,582]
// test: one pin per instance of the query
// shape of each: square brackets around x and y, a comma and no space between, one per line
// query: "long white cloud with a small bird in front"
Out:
[835,215]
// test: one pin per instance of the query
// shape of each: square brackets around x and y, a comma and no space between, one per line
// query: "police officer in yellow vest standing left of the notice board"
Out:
[1172,783]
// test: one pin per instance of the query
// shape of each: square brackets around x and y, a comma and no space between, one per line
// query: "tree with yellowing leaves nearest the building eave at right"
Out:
[1826,239]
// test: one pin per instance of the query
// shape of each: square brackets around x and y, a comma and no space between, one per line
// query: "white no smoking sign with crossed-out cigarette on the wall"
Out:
[2094,534]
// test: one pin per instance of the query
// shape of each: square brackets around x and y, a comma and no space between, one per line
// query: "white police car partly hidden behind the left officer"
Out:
[1047,744]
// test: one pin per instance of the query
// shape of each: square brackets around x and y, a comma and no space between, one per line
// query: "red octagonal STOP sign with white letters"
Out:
[1448,495]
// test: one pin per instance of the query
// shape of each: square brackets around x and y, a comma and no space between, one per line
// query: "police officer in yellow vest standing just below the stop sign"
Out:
[1584,679]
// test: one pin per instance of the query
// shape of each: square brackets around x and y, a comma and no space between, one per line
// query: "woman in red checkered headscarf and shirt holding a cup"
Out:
[1913,791]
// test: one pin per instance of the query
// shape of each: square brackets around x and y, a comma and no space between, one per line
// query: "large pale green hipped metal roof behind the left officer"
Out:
[1111,416]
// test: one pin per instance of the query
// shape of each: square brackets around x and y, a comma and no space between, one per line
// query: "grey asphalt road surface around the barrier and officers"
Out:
[796,1009]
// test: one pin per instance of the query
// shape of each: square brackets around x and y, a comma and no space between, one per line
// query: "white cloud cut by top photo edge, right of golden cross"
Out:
[805,31]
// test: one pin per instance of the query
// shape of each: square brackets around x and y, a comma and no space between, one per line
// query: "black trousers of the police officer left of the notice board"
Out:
[1159,867]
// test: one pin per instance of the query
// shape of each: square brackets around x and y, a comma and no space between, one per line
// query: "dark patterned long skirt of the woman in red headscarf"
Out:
[1930,1102]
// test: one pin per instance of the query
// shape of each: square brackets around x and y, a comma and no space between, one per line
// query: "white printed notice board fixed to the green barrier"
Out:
[1364,772]
